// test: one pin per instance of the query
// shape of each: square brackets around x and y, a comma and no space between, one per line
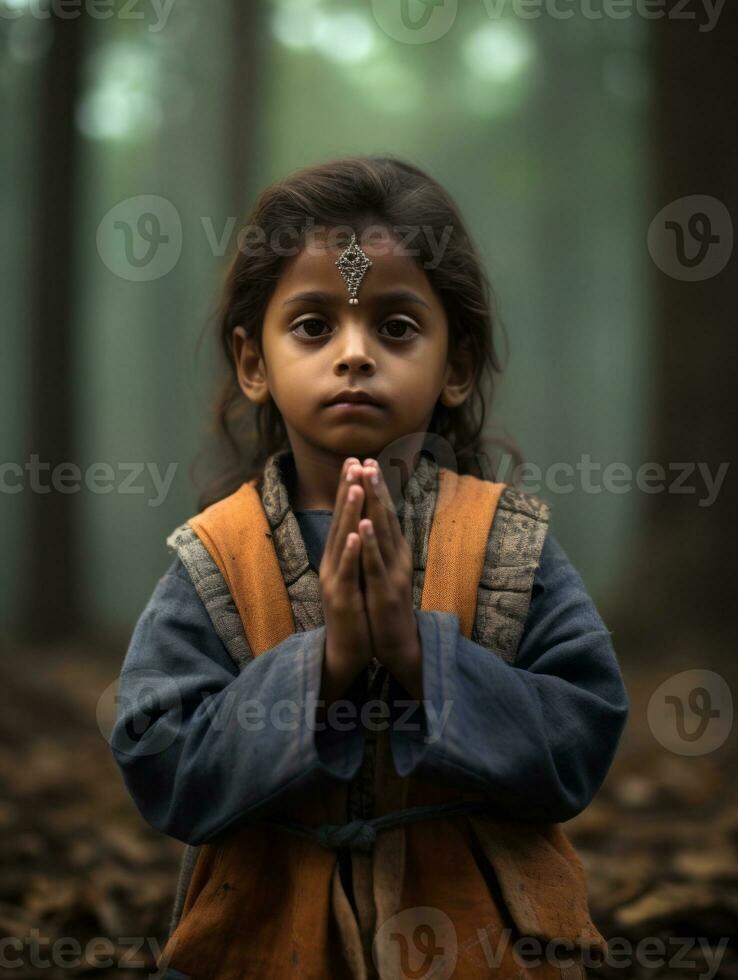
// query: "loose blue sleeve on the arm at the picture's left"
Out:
[201,744]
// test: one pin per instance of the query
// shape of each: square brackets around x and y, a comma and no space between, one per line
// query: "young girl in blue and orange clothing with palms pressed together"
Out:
[371,685]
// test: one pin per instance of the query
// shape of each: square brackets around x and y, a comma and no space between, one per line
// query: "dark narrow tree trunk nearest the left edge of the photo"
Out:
[49,571]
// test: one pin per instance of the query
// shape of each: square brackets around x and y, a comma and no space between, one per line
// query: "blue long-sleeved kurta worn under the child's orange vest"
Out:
[537,736]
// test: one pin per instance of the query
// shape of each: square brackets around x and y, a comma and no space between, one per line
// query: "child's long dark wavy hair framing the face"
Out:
[355,191]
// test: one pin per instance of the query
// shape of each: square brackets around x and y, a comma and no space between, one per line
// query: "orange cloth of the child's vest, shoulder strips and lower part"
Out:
[440,897]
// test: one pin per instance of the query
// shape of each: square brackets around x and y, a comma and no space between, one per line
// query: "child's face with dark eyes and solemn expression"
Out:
[393,348]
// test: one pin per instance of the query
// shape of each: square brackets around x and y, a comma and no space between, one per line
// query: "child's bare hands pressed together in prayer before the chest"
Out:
[373,617]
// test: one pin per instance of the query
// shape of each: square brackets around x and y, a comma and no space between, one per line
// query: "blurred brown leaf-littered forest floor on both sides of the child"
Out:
[85,881]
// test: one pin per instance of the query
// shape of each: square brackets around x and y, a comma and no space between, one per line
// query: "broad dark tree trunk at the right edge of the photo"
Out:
[681,588]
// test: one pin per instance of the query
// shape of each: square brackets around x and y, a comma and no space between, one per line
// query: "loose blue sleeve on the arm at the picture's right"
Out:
[539,735]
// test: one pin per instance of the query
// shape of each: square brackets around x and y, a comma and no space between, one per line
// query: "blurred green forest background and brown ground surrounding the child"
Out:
[562,140]
